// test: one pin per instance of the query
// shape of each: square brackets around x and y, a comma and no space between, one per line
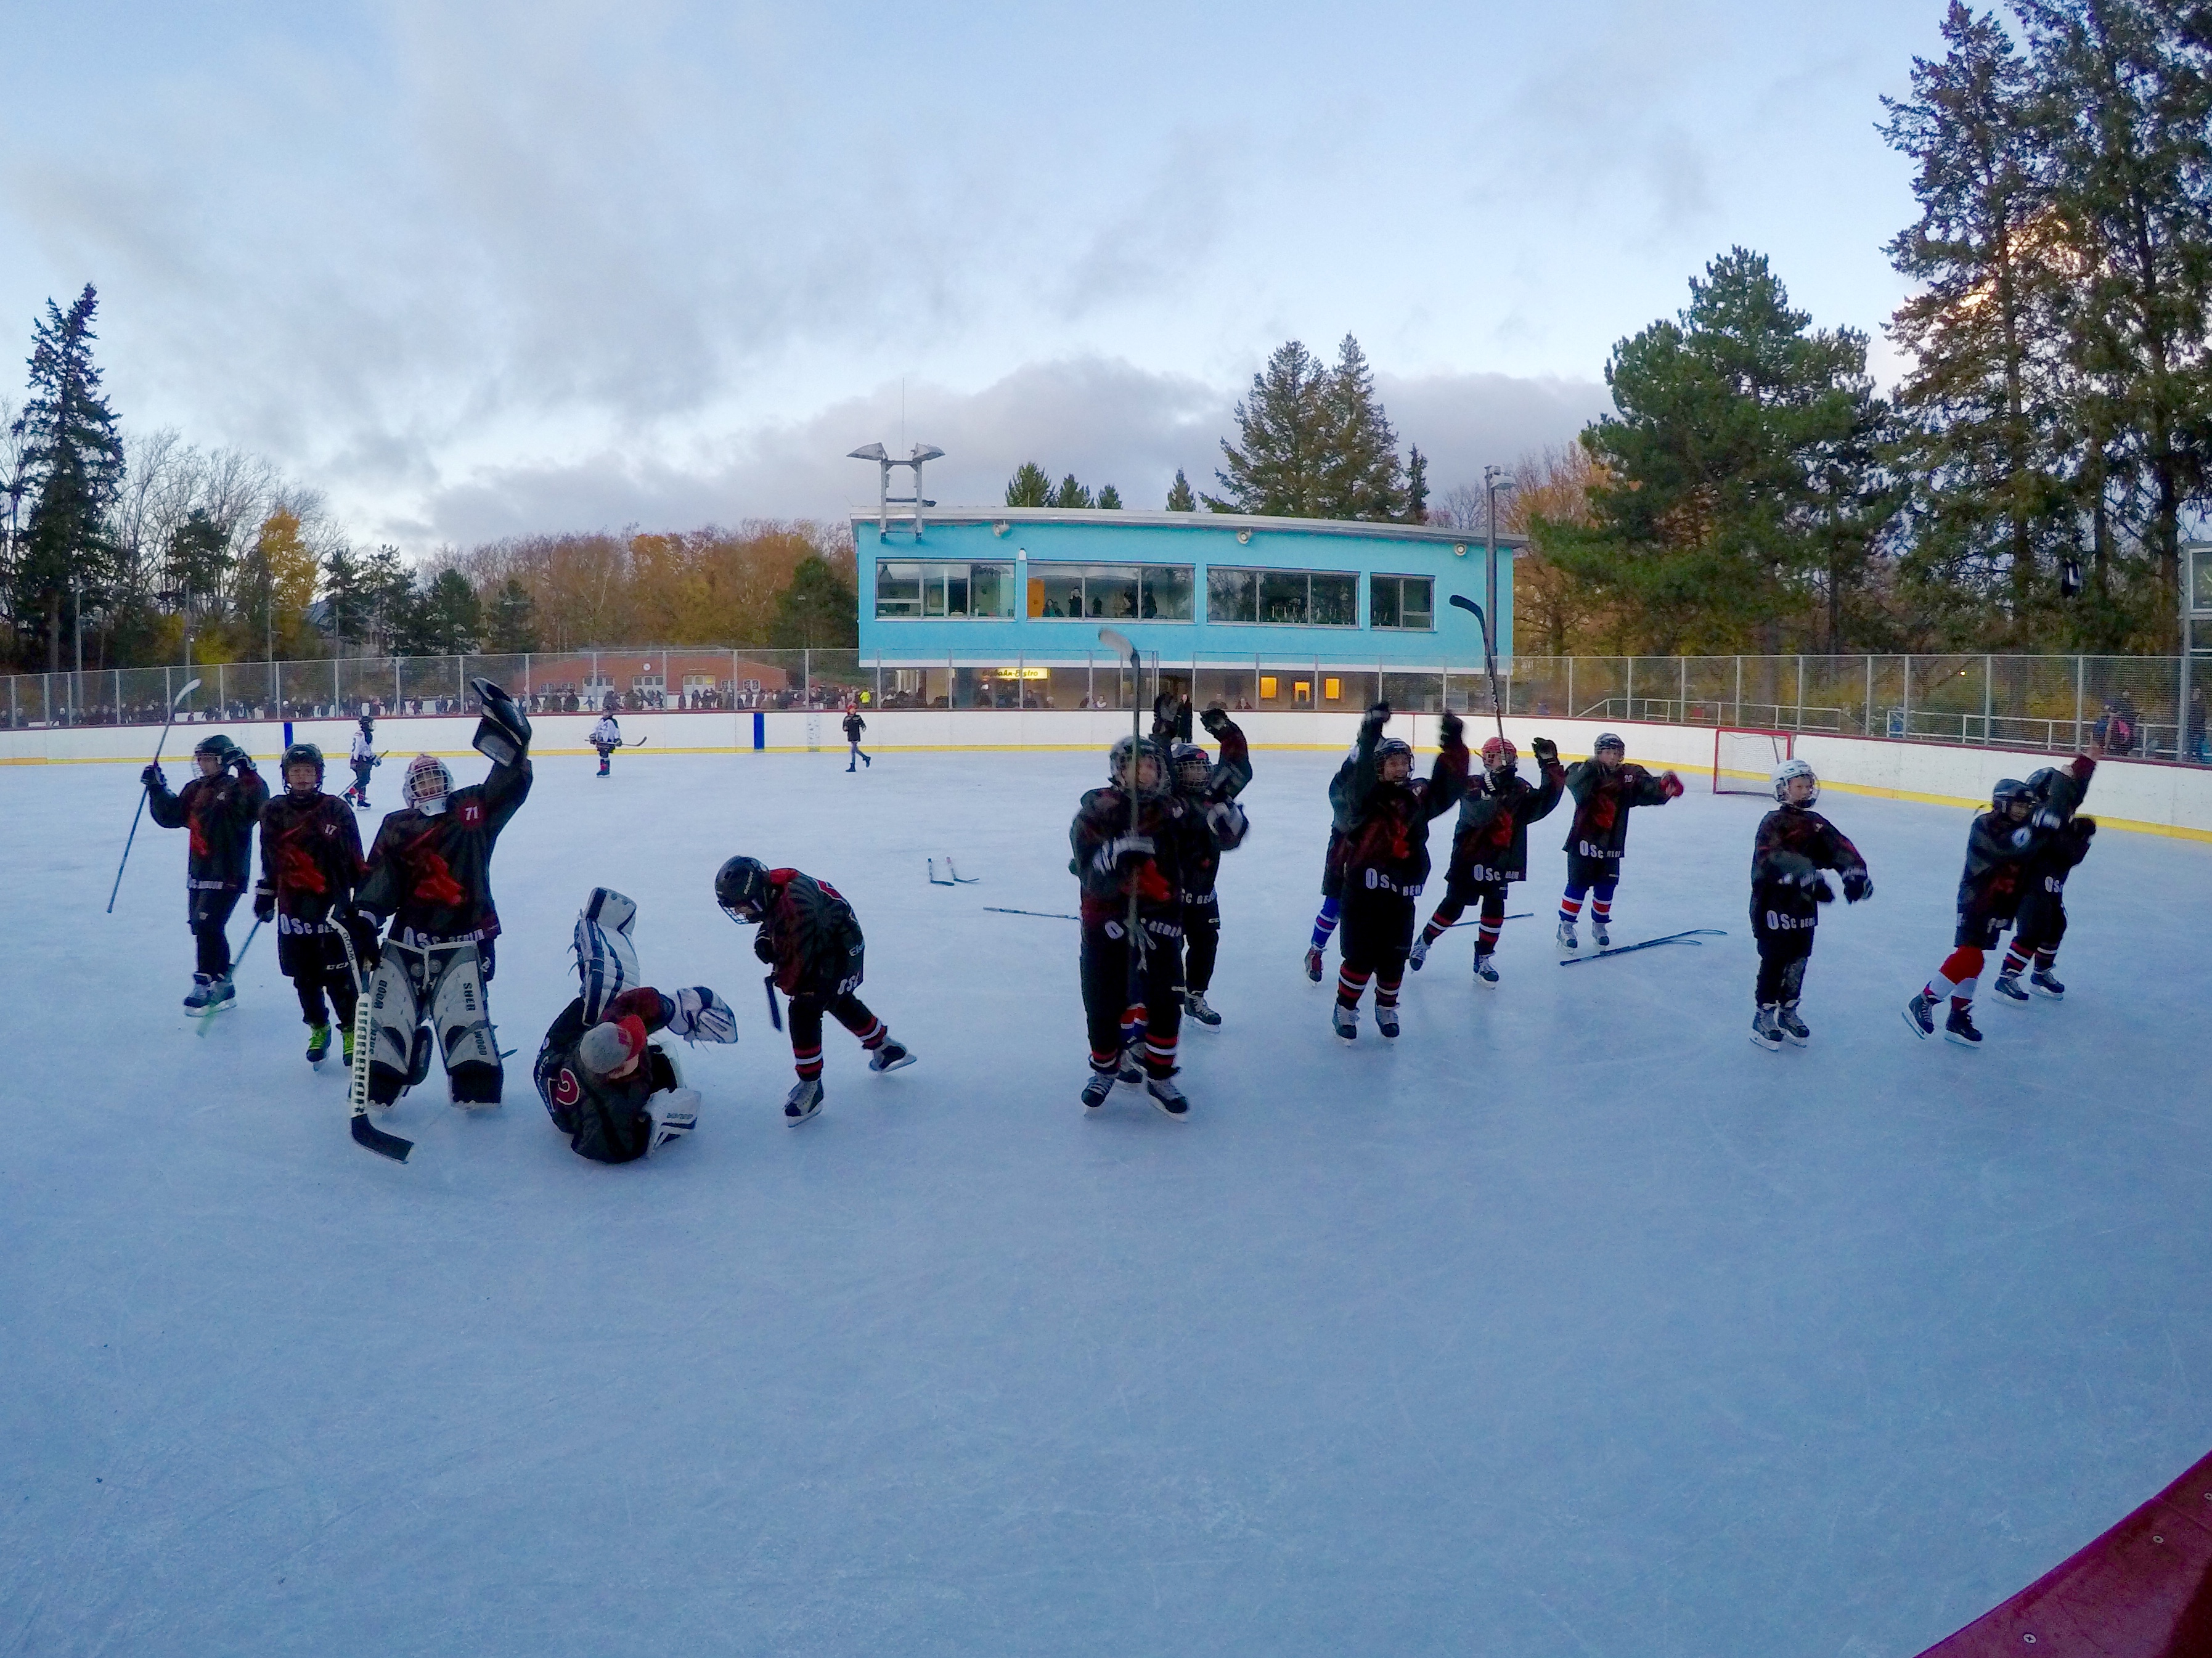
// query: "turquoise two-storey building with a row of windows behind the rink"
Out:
[1003,609]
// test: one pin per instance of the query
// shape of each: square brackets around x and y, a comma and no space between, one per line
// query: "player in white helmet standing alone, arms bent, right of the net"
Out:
[1793,848]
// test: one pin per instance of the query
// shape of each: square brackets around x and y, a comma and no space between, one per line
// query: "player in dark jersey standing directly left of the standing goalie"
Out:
[311,863]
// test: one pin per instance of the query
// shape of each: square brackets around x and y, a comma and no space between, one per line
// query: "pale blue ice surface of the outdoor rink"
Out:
[1574,1325]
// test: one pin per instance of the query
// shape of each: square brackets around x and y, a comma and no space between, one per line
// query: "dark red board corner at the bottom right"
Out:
[2142,1591]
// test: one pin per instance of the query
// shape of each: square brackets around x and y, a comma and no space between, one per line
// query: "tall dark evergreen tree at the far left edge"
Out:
[76,465]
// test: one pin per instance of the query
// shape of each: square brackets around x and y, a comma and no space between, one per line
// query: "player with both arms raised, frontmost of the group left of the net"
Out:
[1381,817]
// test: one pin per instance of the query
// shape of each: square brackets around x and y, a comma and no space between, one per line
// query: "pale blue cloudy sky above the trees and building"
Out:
[481,271]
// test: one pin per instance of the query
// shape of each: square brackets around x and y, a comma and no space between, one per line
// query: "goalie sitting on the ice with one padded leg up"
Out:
[605,1087]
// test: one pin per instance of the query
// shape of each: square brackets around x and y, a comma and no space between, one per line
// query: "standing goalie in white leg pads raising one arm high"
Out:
[430,877]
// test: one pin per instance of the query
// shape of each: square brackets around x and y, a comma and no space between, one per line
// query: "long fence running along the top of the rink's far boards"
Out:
[2133,704]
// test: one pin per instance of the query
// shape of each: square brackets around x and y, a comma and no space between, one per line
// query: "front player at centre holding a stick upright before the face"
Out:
[1131,985]
